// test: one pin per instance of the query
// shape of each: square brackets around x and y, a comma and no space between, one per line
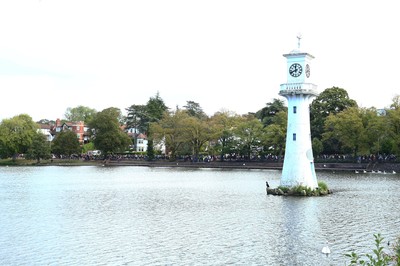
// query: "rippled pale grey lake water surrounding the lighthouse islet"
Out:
[91,215]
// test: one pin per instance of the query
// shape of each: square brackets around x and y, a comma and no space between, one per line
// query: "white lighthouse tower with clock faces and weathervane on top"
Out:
[298,167]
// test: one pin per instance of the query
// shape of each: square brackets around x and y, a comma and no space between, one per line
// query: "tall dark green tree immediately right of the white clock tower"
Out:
[331,101]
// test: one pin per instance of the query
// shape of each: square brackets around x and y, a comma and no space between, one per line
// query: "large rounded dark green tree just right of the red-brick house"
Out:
[106,132]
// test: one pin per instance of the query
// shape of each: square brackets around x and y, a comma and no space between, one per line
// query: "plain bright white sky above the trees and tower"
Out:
[226,55]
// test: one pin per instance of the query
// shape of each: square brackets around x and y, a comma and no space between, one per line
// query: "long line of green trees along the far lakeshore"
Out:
[338,127]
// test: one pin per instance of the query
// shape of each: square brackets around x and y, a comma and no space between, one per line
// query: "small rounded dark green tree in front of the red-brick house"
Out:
[66,143]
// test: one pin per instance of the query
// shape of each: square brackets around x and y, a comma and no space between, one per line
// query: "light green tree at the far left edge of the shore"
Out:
[16,135]
